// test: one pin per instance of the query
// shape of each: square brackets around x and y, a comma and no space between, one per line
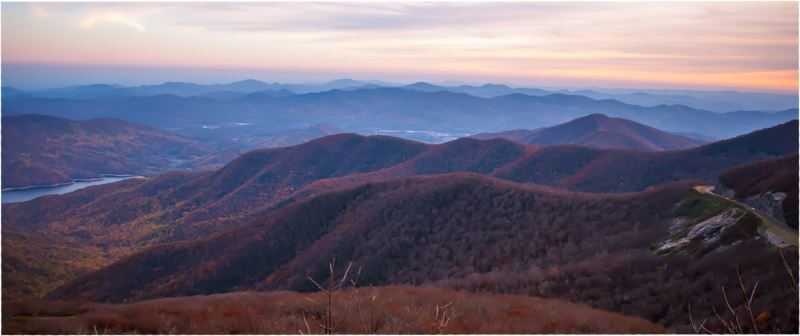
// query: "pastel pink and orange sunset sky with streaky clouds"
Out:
[746,46]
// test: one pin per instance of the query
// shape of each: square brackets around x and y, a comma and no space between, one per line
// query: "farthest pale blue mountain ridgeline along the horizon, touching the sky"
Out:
[717,101]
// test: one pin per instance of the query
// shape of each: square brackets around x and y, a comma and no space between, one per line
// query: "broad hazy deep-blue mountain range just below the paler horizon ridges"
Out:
[367,109]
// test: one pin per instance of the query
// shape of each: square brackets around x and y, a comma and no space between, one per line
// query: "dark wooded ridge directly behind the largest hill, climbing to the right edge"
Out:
[588,169]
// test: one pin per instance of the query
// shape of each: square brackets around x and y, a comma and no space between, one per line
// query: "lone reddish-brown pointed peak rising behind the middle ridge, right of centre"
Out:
[597,130]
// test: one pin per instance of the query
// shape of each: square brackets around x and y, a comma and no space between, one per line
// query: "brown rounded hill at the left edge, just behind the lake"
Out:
[42,150]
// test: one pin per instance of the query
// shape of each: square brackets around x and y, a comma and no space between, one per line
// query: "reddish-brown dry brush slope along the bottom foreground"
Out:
[358,310]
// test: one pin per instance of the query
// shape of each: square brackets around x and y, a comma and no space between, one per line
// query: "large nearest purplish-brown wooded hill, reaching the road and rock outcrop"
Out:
[463,230]
